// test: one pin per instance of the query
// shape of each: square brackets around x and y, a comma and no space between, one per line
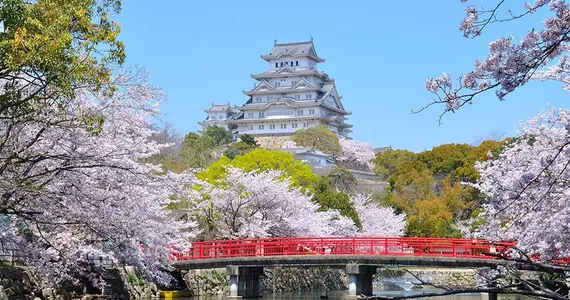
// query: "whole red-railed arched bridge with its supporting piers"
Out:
[360,256]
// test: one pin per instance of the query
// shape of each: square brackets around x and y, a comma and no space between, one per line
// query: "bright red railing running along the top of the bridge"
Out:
[440,247]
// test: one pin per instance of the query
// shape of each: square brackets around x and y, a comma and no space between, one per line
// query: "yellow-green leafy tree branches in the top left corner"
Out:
[59,45]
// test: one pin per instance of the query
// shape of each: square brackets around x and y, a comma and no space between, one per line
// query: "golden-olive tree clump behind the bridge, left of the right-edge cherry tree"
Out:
[427,186]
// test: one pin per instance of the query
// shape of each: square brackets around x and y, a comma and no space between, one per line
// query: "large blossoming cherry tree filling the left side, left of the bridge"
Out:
[73,186]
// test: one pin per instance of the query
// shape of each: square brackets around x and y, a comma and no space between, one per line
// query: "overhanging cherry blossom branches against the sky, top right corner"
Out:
[541,54]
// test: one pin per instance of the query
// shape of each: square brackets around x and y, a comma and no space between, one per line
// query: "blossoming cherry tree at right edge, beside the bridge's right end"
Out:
[528,188]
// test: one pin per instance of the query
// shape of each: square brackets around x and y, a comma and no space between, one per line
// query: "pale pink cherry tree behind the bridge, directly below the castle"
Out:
[263,204]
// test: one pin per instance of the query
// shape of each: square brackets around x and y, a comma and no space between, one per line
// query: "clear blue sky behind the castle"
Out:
[379,52]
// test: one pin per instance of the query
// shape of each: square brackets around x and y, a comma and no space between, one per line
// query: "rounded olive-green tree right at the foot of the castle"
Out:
[320,138]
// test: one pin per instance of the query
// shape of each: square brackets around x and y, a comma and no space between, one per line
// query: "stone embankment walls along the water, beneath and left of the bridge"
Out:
[22,283]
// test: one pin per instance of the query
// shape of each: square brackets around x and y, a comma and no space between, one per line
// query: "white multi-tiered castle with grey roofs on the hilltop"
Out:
[291,95]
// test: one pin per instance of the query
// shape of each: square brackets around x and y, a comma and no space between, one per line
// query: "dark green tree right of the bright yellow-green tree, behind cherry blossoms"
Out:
[328,199]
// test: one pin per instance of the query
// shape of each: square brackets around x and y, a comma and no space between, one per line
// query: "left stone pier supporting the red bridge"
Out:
[244,281]
